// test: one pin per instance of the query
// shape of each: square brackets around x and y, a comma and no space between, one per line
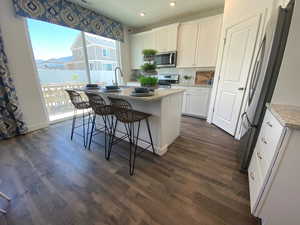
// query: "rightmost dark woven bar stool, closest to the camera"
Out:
[125,114]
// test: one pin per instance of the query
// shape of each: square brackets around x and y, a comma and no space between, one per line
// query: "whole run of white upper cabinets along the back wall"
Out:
[196,42]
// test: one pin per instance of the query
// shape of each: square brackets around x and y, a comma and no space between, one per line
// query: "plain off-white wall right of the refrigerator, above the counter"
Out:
[287,89]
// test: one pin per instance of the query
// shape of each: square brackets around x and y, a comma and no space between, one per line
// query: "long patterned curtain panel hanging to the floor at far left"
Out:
[11,123]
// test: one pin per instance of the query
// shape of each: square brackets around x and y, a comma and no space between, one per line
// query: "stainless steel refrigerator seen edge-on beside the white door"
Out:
[263,80]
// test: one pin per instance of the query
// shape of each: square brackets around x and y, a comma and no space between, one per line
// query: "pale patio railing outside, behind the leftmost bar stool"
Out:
[57,100]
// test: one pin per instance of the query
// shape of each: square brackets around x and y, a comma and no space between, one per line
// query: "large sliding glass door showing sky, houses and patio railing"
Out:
[60,56]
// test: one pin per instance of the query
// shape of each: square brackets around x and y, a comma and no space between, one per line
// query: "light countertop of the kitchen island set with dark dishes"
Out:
[126,93]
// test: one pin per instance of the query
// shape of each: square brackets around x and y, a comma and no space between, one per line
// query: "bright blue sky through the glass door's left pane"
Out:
[50,40]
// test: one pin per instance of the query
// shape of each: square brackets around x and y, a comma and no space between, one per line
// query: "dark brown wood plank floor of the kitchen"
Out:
[53,181]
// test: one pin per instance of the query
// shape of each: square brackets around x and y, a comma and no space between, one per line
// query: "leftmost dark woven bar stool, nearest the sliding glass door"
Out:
[79,104]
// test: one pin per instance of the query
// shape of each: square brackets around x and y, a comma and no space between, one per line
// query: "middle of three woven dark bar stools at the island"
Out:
[103,110]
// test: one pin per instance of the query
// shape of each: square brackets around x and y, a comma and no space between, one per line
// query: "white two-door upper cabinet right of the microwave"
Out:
[198,42]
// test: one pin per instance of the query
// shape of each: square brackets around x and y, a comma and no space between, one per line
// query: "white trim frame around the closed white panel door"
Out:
[262,16]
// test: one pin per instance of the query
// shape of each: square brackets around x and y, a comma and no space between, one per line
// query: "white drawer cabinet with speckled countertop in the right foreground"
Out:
[274,170]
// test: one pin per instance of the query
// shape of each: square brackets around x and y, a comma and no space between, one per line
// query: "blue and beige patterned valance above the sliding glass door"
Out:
[68,14]
